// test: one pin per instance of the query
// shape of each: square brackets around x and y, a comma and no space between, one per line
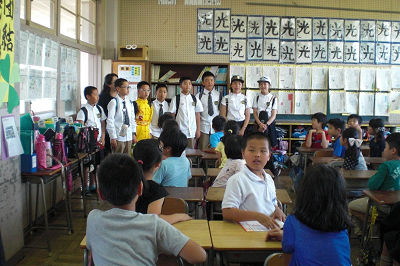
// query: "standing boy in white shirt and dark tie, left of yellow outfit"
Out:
[121,124]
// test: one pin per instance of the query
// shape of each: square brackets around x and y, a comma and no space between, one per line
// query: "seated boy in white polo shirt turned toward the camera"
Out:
[250,194]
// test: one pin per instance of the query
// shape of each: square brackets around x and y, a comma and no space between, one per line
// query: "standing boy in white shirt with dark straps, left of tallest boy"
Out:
[187,109]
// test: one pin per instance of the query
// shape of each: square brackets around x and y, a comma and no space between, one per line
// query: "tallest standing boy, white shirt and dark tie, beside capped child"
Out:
[210,99]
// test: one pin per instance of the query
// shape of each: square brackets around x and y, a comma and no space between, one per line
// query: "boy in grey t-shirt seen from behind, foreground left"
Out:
[121,236]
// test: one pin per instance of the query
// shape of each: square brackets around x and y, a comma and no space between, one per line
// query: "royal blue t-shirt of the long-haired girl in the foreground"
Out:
[313,247]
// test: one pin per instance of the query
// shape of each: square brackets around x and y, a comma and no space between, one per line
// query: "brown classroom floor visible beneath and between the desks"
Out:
[66,250]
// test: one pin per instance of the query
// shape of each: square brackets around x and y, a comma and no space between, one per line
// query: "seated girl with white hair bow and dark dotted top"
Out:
[353,158]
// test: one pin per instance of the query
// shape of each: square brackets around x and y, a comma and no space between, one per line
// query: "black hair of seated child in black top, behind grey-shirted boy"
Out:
[148,151]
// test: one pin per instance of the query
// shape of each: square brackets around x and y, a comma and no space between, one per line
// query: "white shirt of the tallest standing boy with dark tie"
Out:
[205,119]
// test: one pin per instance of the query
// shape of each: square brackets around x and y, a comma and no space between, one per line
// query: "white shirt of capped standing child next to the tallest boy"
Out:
[237,105]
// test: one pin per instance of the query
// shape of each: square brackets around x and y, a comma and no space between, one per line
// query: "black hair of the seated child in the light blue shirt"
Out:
[175,139]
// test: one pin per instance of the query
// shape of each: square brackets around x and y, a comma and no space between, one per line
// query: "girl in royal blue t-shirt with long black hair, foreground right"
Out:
[316,233]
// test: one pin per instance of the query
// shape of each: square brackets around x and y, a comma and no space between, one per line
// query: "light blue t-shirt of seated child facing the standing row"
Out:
[173,172]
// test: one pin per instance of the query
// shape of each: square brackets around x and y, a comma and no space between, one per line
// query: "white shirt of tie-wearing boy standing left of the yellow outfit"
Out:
[115,119]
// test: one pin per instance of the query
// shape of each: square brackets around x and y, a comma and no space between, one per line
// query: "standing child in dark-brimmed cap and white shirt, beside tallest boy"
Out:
[235,106]
